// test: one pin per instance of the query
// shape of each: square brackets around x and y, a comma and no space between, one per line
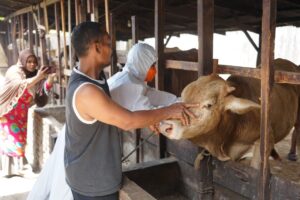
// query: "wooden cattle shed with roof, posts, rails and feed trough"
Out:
[164,168]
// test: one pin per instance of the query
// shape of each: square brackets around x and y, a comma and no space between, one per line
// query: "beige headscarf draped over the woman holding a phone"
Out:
[15,83]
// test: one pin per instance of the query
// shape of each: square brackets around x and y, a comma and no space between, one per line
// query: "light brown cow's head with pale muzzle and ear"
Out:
[215,98]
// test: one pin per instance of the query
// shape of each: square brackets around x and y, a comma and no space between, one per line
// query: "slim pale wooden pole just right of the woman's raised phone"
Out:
[59,71]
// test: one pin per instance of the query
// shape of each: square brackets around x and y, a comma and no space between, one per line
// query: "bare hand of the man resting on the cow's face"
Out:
[181,111]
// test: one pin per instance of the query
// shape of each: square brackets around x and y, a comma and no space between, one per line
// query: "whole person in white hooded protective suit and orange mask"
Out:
[129,89]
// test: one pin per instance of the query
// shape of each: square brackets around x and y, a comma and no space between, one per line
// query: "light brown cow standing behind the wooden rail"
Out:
[227,122]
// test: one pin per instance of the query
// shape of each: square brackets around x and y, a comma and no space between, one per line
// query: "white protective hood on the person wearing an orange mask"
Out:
[139,59]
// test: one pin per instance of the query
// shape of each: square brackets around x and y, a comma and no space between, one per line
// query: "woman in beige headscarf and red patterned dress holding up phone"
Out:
[23,86]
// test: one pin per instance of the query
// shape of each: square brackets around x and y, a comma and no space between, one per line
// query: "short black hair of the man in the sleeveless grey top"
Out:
[84,34]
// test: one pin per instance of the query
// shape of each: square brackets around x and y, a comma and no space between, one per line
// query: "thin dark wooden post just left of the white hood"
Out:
[113,65]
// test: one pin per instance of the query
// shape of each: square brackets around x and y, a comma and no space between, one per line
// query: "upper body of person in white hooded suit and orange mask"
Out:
[129,87]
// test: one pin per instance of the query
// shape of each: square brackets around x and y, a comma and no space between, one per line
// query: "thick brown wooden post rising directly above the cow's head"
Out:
[205,36]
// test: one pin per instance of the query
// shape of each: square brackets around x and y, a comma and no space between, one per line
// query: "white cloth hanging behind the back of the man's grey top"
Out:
[51,184]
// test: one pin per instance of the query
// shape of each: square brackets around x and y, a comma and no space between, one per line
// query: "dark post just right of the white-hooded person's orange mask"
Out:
[159,47]
